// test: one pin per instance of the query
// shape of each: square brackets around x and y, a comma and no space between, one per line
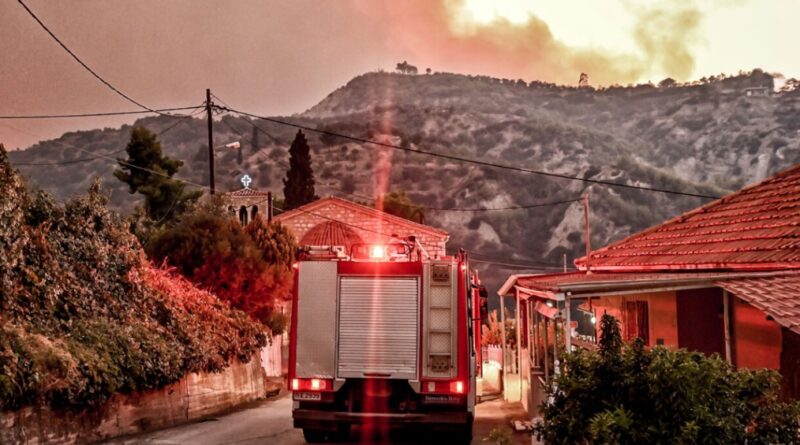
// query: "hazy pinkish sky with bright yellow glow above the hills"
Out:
[273,57]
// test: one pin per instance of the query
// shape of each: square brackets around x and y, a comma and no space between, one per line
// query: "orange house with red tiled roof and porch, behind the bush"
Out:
[721,279]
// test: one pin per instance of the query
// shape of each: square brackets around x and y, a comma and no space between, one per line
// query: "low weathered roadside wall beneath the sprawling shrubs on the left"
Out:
[193,397]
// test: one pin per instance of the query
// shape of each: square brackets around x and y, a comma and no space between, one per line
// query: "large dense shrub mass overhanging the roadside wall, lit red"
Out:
[84,315]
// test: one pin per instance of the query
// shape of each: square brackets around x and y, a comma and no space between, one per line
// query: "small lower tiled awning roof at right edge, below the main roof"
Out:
[777,296]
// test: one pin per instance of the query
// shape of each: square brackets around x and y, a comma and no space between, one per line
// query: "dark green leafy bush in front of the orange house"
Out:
[627,394]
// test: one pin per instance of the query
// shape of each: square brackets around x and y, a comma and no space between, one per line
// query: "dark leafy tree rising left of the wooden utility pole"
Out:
[148,172]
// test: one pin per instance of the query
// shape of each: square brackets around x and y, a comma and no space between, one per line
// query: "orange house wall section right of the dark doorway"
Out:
[756,340]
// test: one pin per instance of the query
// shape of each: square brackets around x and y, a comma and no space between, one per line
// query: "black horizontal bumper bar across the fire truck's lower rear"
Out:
[308,418]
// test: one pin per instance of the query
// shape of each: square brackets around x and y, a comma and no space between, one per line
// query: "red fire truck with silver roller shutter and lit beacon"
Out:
[383,336]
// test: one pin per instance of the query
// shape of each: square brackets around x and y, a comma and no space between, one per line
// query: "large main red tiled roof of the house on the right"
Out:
[757,228]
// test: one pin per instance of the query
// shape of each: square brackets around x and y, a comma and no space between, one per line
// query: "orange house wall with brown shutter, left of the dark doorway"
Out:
[662,312]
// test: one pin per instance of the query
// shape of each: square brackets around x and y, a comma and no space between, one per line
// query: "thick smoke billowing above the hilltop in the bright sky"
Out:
[437,31]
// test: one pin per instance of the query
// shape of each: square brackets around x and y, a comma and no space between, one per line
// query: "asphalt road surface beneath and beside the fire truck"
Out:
[270,422]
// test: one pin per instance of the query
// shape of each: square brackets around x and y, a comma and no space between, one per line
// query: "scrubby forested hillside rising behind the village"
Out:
[708,137]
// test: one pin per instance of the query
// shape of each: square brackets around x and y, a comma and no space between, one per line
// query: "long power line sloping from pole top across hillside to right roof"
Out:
[467,160]
